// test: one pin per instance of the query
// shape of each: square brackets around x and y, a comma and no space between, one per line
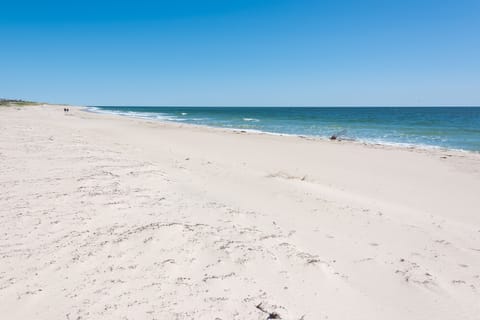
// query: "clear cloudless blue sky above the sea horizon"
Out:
[232,52]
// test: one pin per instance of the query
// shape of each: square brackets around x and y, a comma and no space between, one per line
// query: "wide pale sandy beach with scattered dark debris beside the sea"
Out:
[104,217]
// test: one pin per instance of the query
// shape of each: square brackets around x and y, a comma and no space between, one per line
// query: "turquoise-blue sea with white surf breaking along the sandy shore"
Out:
[444,127]
